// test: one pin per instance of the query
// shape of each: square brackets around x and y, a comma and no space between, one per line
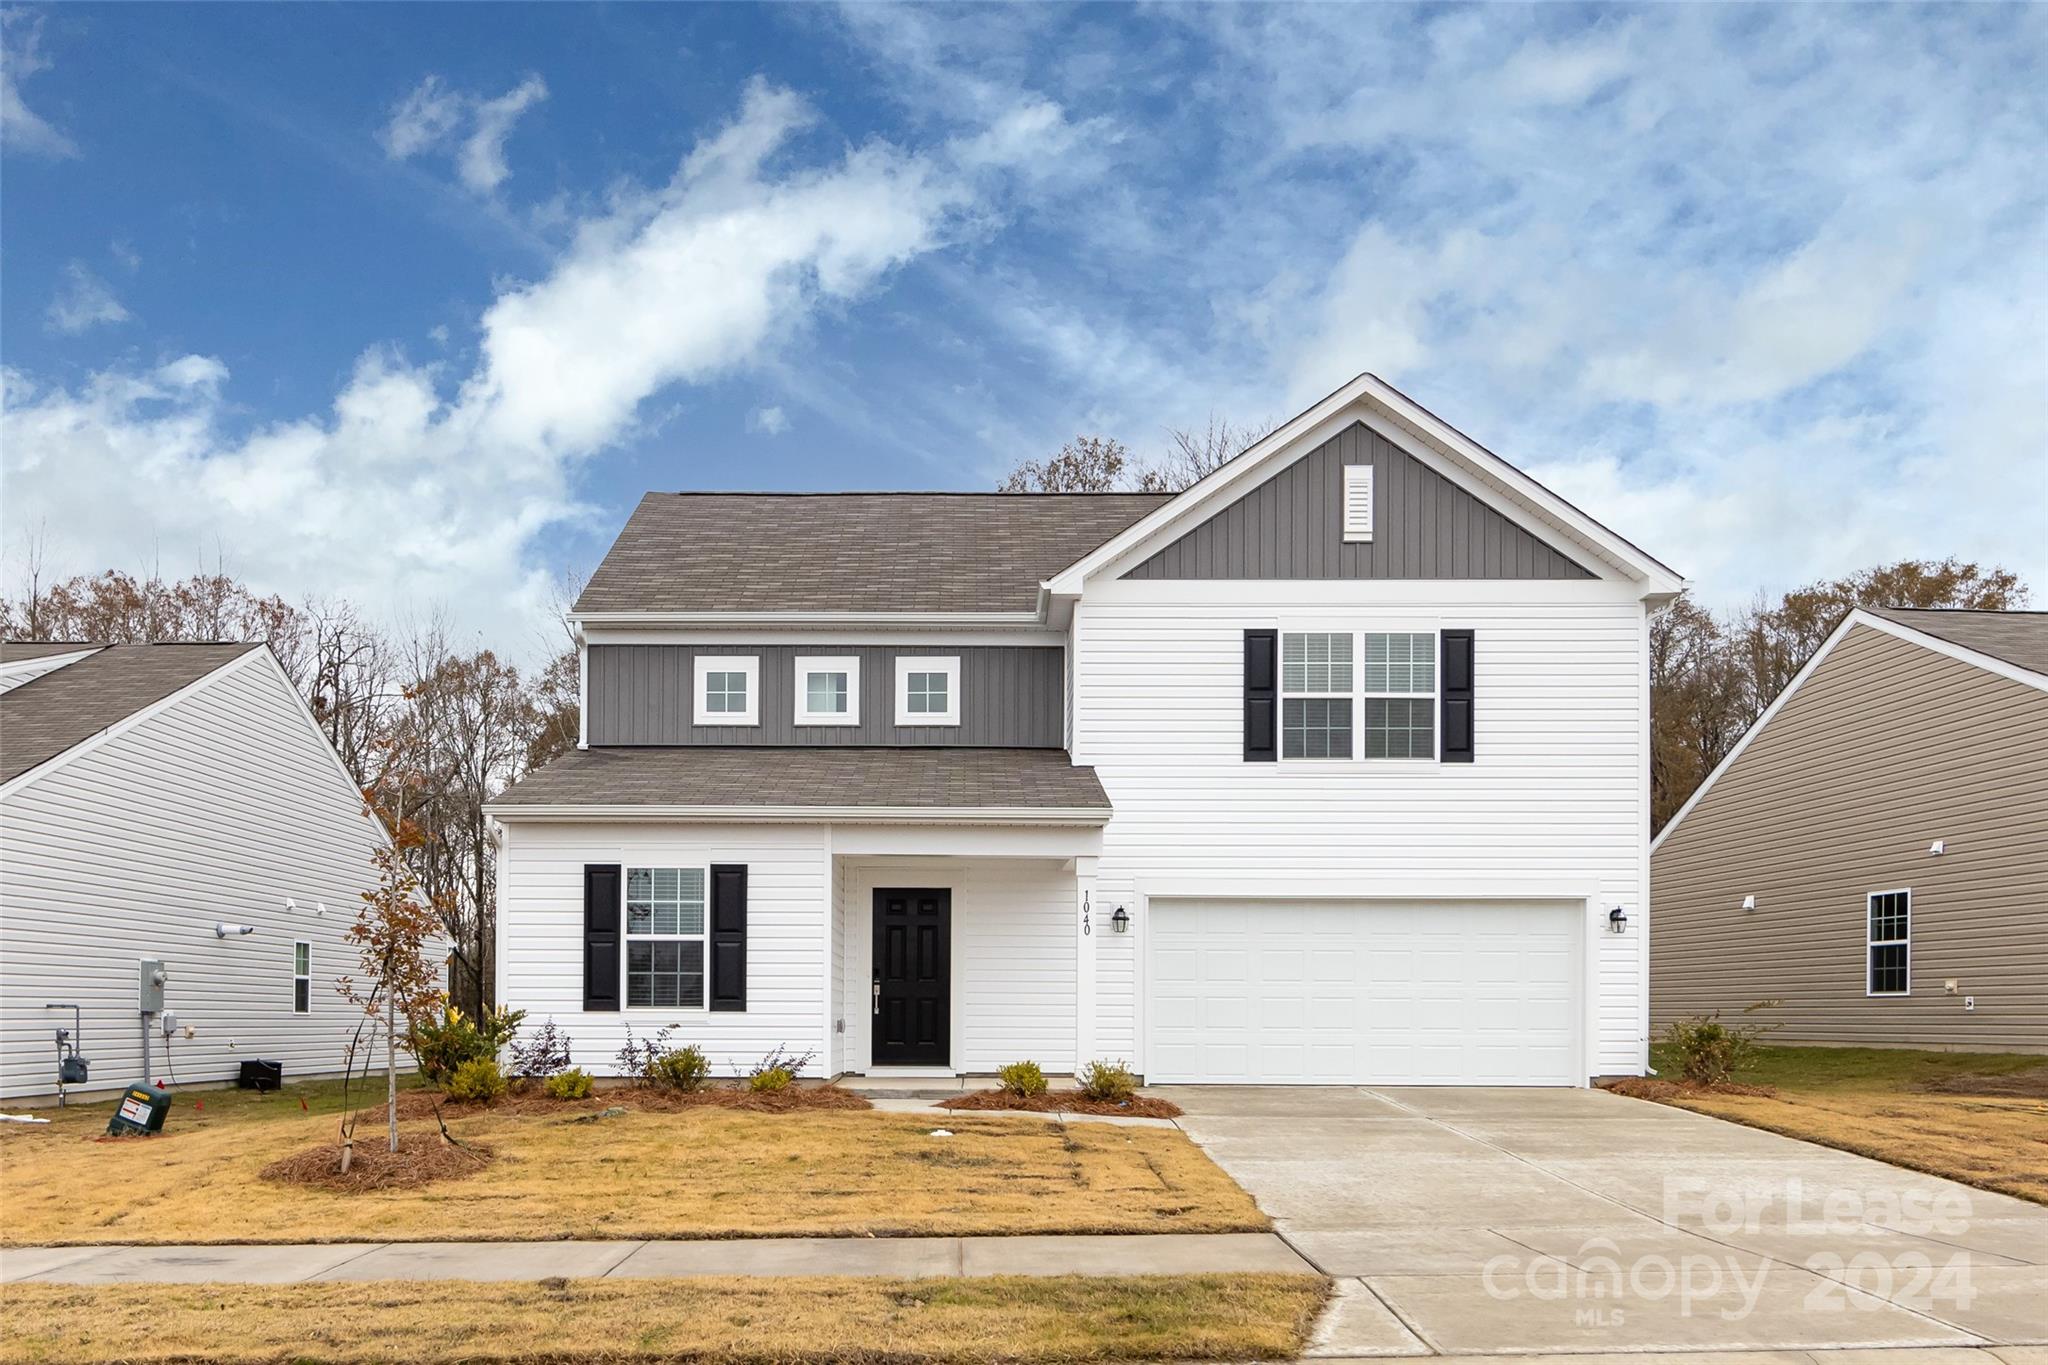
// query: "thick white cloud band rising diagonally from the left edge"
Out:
[427,486]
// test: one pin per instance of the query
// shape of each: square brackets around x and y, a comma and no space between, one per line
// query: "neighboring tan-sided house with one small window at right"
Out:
[1875,852]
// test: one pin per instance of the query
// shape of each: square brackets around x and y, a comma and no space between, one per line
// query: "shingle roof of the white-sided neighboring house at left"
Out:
[69,707]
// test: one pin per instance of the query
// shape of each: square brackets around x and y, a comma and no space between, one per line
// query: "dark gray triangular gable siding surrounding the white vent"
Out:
[1424,527]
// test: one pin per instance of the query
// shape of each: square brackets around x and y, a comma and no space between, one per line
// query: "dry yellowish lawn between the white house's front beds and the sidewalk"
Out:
[636,1176]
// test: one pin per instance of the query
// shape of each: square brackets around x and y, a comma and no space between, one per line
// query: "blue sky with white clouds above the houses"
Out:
[411,304]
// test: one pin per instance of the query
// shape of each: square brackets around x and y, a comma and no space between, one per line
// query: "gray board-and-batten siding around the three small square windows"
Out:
[1011,697]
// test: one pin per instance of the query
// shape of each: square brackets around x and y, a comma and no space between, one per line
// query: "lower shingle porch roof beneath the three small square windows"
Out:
[931,779]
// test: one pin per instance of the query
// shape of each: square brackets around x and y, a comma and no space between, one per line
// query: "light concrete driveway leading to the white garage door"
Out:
[1492,1221]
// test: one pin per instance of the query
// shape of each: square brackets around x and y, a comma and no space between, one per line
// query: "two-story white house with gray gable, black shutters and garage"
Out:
[1326,770]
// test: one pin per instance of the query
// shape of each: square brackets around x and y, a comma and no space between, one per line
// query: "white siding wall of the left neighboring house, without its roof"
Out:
[218,807]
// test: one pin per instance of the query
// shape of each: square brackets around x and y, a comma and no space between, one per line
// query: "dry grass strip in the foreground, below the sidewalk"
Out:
[703,1321]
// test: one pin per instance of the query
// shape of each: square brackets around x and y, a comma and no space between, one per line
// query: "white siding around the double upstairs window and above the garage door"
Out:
[1551,807]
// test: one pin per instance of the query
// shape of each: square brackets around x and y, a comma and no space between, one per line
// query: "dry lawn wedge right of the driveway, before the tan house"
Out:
[1981,1141]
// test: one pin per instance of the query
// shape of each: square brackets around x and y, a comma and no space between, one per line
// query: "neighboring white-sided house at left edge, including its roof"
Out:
[171,805]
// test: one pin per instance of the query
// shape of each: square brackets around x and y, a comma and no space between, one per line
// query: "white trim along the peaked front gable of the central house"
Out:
[1367,398]
